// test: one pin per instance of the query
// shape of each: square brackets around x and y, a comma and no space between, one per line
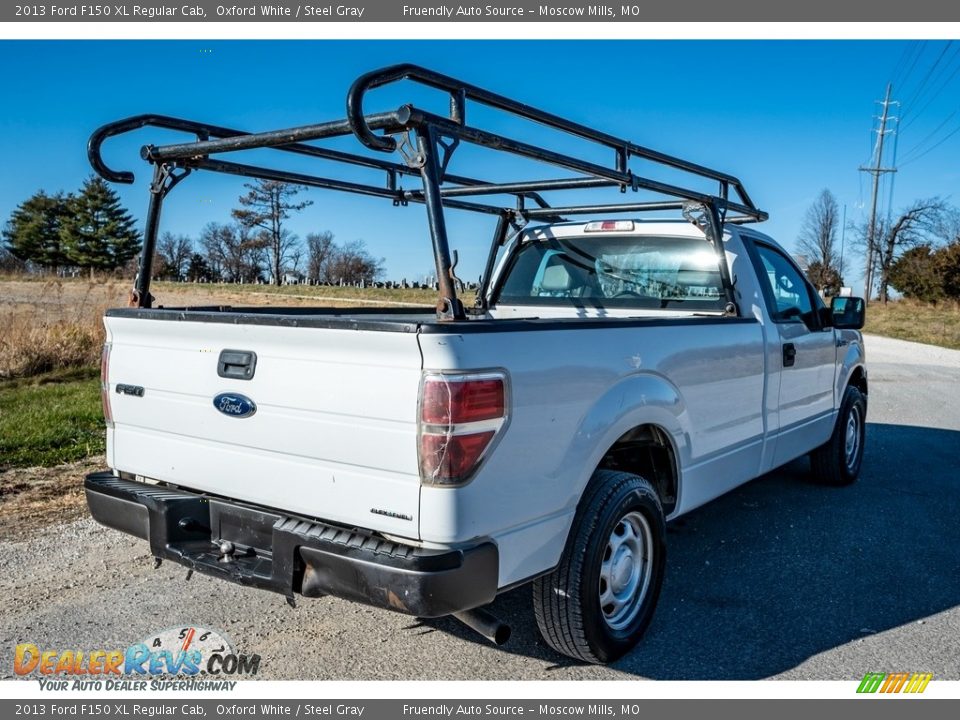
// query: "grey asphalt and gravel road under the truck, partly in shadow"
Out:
[780,578]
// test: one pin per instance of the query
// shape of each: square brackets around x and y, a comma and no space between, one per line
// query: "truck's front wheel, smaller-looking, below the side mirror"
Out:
[837,462]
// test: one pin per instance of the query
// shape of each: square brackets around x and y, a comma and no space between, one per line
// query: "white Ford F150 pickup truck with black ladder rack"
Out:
[614,374]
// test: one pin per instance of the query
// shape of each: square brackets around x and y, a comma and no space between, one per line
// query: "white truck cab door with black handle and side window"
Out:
[807,355]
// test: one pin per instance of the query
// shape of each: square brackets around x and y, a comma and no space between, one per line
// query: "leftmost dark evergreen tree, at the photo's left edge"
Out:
[32,234]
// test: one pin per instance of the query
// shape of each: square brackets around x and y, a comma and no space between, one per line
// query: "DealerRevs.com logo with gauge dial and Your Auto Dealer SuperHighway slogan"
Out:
[186,658]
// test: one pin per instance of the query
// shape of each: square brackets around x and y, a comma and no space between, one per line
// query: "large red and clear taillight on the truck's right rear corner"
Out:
[460,415]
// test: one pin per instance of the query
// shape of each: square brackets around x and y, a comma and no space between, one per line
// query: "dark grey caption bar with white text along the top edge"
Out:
[501,11]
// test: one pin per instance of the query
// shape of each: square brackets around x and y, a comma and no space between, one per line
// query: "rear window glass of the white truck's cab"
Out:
[615,271]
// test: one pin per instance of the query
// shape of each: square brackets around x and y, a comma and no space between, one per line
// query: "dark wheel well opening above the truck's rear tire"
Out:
[646,451]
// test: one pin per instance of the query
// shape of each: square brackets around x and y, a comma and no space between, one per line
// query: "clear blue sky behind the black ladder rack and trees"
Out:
[788,118]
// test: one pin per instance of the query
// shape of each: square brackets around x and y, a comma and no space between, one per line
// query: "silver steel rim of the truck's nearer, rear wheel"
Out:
[626,570]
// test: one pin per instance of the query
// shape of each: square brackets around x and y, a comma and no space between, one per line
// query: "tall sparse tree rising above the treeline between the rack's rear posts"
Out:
[267,204]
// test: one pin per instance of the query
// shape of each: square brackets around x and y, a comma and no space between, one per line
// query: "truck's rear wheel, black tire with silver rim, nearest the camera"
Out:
[600,599]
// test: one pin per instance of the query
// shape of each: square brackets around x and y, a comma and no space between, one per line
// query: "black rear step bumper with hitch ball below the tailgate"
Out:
[288,555]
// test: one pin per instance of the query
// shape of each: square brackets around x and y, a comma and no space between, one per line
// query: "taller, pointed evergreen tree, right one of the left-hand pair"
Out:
[99,233]
